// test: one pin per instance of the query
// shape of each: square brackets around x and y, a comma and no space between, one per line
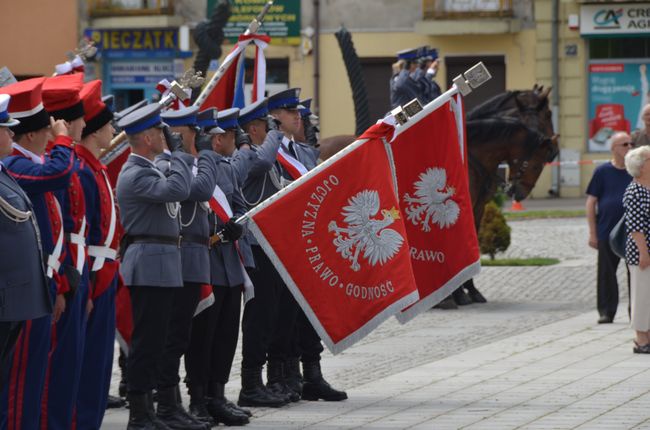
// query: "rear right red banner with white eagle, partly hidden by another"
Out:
[430,160]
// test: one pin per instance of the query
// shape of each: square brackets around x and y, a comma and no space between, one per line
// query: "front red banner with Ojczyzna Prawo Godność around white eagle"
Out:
[337,239]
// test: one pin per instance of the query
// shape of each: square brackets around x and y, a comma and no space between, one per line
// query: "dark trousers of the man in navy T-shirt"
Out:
[607,284]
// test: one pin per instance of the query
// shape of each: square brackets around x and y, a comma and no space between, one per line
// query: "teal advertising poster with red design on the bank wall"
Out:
[617,93]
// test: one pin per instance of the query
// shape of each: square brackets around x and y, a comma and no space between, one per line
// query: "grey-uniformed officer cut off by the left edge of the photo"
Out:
[23,287]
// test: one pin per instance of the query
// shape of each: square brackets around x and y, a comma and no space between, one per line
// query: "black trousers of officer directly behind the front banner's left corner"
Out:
[260,313]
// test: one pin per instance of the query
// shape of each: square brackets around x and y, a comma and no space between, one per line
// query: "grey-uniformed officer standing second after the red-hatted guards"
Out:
[194,257]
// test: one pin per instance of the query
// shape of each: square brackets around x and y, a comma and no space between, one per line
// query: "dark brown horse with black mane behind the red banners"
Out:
[514,127]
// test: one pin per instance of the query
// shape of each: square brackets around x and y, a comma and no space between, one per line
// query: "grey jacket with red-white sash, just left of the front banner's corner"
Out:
[225,265]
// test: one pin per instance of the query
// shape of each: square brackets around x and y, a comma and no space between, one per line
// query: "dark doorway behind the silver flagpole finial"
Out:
[494,63]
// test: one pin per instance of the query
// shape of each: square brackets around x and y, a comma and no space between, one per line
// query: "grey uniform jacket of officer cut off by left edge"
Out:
[23,287]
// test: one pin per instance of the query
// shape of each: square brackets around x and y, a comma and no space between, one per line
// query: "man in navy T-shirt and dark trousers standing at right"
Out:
[604,210]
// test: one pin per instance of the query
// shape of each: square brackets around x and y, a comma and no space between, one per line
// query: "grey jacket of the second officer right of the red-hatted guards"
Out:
[194,214]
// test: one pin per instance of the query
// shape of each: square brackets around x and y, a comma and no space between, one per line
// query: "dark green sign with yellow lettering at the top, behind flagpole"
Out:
[281,23]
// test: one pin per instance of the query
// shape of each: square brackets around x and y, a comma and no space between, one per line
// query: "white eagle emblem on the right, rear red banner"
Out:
[433,199]
